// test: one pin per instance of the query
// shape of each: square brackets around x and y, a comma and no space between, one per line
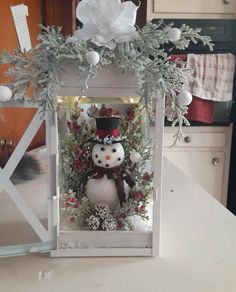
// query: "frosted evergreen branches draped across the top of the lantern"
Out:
[44,65]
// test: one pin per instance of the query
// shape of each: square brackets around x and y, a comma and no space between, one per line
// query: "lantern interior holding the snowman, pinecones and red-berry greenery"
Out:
[105,185]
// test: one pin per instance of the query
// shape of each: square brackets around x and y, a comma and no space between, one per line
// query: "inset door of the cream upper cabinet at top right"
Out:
[194,7]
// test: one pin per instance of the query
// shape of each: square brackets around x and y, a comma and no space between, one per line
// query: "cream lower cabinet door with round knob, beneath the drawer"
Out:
[205,168]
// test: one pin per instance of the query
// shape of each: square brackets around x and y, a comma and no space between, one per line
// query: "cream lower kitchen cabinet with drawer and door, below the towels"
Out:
[203,155]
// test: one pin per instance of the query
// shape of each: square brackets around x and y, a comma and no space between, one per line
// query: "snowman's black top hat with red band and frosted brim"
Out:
[107,120]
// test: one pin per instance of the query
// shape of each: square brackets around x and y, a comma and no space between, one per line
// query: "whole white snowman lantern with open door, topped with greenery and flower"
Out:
[96,187]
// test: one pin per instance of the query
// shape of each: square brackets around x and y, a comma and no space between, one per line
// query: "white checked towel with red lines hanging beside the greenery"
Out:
[213,76]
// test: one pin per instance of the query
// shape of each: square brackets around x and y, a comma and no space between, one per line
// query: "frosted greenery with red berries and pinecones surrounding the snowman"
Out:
[77,164]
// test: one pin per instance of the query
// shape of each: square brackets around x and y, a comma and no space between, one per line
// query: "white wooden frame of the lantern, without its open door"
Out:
[110,82]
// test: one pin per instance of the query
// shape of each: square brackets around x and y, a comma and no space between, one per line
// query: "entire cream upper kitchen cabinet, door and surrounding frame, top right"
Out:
[211,9]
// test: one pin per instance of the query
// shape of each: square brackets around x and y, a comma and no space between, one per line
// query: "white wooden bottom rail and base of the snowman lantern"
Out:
[103,243]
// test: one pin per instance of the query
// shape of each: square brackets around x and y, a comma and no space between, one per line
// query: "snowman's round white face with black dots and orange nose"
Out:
[108,156]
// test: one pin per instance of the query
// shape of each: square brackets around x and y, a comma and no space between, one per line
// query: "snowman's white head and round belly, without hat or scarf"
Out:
[103,190]
